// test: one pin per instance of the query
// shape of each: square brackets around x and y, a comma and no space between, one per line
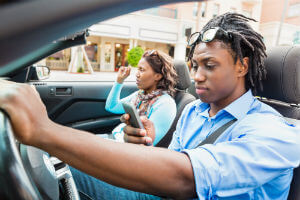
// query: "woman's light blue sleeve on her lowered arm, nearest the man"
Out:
[162,115]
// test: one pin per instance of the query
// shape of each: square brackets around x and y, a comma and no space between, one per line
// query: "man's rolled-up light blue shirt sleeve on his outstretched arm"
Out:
[260,150]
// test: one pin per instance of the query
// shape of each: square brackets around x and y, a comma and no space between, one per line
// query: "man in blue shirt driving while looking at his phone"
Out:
[253,159]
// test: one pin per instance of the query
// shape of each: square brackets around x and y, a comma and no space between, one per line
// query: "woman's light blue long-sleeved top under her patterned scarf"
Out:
[162,113]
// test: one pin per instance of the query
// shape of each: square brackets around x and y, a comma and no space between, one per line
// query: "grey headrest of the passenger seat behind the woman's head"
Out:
[183,80]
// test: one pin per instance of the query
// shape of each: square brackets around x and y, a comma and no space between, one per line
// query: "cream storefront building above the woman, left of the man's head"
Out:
[161,28]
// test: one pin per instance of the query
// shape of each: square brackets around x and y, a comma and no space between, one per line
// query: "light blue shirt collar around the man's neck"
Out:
[238,108]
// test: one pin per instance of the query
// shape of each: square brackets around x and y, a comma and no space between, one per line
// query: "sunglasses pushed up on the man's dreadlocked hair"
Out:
[208,35]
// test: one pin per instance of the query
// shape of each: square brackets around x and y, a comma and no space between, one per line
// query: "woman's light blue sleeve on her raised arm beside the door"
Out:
[114,103]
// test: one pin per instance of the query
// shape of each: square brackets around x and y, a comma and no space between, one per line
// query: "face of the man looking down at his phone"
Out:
[218,80]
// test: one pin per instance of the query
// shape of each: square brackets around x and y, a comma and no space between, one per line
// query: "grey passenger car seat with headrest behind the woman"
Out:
[182,98]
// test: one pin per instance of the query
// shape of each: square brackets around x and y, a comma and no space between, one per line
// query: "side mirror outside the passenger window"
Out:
[38,72]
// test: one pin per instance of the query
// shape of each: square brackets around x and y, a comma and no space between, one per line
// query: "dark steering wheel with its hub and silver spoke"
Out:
[30,173]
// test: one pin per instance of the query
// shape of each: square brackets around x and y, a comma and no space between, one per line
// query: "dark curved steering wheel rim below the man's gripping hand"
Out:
[11,166]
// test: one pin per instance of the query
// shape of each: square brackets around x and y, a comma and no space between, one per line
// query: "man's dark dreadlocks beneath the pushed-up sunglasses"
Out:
[244,42]
